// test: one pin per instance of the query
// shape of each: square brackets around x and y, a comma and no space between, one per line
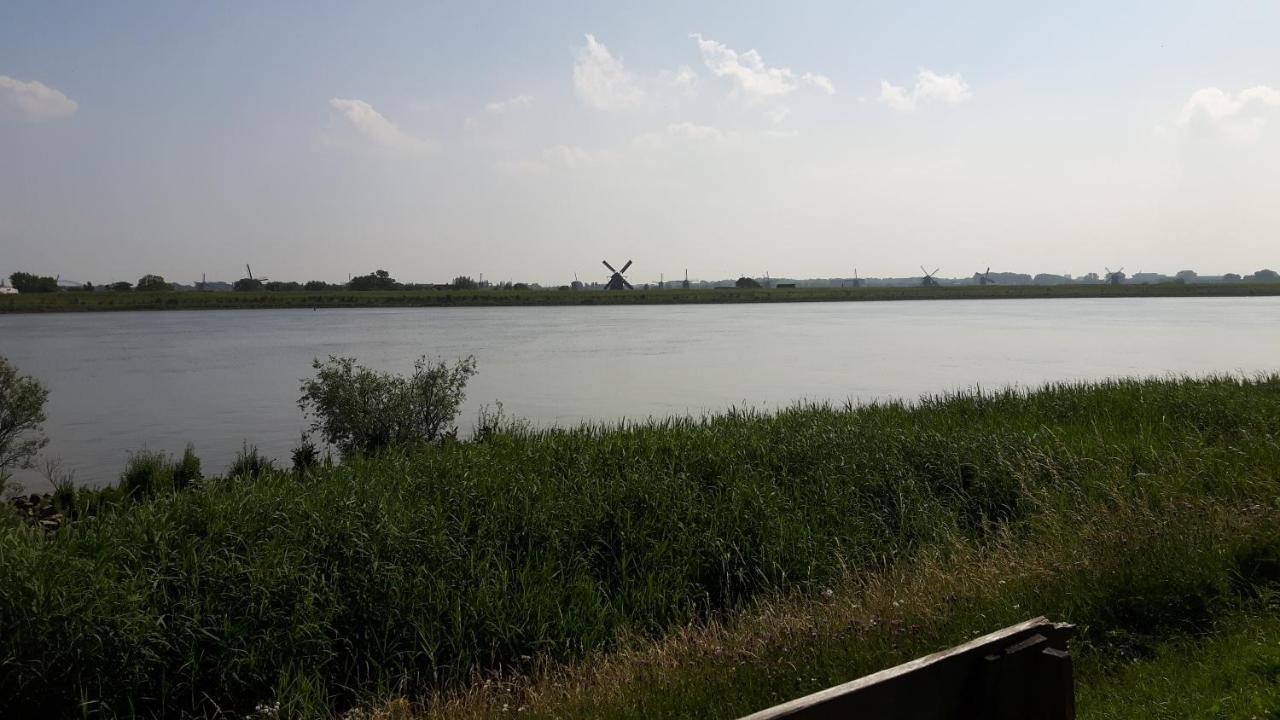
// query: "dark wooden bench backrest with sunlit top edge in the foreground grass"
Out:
[1005,671]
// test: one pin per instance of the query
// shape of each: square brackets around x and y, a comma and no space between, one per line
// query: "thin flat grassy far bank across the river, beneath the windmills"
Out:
[92,302]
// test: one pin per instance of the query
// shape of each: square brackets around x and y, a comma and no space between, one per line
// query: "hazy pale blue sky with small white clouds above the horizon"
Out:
[529,142]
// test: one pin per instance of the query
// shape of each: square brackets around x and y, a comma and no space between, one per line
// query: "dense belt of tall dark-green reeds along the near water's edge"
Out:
[414,572]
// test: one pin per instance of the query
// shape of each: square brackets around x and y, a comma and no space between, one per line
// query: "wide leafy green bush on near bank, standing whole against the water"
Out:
[360,411]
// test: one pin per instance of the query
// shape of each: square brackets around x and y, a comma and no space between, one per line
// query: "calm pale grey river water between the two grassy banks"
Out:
[127,381]
